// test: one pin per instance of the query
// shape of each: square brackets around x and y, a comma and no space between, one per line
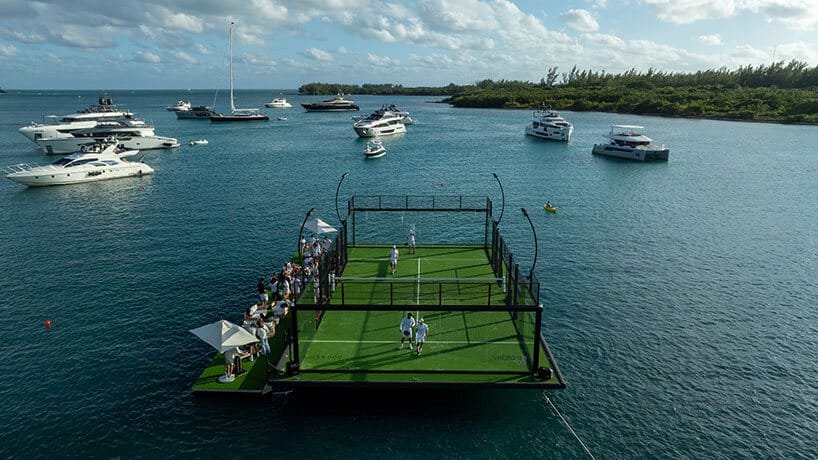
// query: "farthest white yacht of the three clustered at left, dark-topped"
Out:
[105,110]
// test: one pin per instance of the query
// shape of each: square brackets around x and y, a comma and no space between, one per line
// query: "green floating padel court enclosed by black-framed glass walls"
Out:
[484,314]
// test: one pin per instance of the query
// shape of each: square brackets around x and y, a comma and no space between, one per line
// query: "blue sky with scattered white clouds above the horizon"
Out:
[93,44]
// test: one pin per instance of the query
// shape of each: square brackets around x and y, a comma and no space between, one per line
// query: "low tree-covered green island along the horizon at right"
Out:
[779,92]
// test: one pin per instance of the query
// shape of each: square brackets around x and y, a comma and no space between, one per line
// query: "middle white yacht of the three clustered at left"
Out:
[132,135]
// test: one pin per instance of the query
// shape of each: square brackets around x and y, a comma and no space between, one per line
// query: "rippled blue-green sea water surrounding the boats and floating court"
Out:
[680,297]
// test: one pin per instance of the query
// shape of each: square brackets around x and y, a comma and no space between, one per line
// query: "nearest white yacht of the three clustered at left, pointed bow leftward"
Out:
[91,165]
